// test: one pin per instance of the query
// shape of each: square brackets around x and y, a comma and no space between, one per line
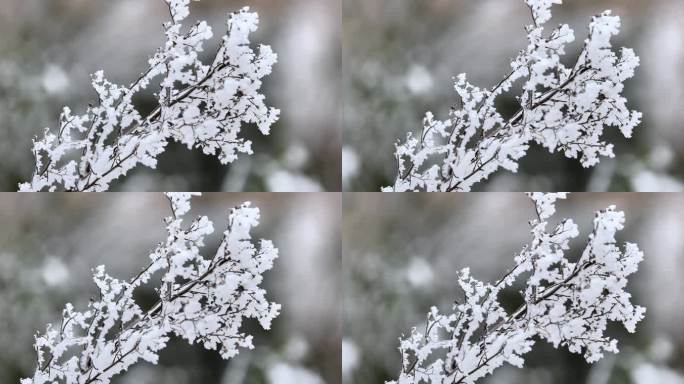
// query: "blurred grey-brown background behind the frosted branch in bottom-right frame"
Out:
[401,254]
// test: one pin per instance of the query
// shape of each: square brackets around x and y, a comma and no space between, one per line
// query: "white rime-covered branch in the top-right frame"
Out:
[564,109]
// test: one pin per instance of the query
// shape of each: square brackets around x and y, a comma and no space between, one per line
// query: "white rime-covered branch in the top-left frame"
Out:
[200,105]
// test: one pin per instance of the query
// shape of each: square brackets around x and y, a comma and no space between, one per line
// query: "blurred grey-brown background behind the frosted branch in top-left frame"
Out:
[50,48]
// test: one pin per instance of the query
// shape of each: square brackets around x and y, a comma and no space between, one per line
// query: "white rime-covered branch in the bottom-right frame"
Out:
[568,304]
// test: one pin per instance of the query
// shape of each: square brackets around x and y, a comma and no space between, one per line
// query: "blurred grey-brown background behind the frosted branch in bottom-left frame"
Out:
[50,243]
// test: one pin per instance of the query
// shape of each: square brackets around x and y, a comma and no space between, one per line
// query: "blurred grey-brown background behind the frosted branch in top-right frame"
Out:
[400,57]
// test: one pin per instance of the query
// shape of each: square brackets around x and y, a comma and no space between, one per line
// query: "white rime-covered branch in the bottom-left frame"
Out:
[202,300]
